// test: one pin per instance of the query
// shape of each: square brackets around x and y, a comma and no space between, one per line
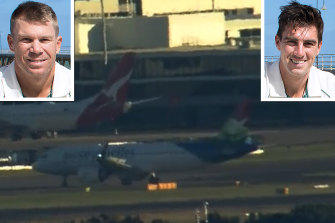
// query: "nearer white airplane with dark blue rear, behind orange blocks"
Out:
[132,161]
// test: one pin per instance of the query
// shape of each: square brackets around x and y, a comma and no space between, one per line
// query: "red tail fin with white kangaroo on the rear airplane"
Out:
[109,102]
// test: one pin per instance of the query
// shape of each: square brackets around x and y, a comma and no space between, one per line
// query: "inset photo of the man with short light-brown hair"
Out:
[36,46]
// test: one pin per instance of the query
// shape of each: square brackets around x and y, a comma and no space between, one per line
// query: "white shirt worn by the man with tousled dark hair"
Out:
[321,84]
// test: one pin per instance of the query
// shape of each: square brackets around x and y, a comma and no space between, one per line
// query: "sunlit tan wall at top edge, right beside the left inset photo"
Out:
[94,7]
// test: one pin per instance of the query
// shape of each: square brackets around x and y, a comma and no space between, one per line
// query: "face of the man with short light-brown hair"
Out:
[35,45]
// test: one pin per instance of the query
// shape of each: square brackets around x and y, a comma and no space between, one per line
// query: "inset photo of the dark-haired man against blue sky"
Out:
[298,52]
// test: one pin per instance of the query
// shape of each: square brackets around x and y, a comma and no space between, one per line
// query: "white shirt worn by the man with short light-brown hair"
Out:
[10,87]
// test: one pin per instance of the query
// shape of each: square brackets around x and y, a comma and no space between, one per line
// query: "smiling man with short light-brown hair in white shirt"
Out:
[35,41]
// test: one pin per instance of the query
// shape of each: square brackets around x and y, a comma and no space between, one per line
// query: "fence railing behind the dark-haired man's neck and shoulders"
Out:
[322,61]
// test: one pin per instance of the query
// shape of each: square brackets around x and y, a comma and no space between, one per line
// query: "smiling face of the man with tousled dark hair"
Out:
[298,49]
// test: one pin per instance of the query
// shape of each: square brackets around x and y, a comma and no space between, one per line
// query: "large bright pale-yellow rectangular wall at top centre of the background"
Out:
[203,29]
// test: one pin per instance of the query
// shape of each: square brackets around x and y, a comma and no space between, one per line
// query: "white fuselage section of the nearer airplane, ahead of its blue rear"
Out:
[147,157]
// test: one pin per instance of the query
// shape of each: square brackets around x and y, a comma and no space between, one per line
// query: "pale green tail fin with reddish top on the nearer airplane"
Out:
[234,128]
